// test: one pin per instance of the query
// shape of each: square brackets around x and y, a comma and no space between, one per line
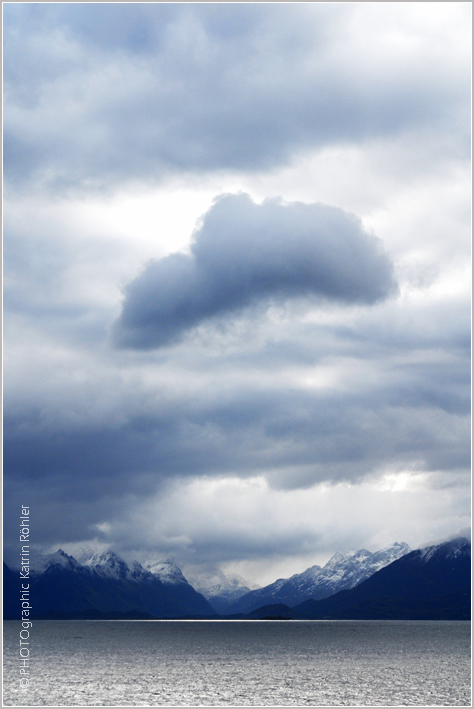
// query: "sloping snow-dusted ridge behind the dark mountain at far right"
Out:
[343,571]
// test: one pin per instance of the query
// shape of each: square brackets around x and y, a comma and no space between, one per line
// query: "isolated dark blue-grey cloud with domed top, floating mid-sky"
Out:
[244,253]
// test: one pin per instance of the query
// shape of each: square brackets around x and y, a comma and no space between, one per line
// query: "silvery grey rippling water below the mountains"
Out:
[249,663]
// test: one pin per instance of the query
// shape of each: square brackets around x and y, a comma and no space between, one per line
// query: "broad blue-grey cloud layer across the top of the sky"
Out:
[102,93]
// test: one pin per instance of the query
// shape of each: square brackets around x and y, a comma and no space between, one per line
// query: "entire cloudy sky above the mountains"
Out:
[237,272]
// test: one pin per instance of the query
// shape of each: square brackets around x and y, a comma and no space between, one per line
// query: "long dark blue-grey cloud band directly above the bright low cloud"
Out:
[295,438]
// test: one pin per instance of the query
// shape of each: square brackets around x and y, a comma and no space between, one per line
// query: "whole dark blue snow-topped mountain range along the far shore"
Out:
[392,583]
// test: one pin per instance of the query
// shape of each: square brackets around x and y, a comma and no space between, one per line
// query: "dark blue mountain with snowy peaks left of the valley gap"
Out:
[105,584]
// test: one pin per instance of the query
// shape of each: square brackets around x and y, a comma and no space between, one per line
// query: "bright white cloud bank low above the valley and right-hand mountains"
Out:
[254,521]
